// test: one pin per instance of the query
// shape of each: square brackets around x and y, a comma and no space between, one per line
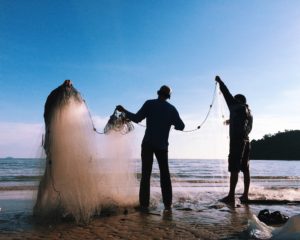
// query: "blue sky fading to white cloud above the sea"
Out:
[121,52]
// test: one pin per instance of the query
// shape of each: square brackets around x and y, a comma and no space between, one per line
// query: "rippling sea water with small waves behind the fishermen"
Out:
[187,174]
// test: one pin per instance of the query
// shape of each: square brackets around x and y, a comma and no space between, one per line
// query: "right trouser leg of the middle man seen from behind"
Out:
[165,179]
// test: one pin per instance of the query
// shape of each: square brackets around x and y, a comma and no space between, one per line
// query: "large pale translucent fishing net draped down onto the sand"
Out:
[85,172]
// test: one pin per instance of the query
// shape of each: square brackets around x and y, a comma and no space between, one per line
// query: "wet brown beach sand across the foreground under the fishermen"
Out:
[213,220]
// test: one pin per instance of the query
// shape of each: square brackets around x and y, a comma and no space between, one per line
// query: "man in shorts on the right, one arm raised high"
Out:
[240,125]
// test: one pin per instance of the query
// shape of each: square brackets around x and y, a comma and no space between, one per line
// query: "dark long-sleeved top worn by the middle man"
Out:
[160,116]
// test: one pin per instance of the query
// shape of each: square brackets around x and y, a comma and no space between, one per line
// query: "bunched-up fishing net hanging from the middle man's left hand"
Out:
[118,123]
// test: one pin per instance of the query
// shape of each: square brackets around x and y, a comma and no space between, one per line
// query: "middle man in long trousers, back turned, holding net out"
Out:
[160,116]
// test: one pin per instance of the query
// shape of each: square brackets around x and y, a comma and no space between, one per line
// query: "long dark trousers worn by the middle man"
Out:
[165,180]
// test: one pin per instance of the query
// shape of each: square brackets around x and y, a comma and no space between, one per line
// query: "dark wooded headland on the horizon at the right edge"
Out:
[279,146]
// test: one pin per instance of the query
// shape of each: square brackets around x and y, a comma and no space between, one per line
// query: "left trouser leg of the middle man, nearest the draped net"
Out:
[147,161]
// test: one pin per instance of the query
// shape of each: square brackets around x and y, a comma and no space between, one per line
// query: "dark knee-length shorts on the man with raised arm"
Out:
[239,152]
